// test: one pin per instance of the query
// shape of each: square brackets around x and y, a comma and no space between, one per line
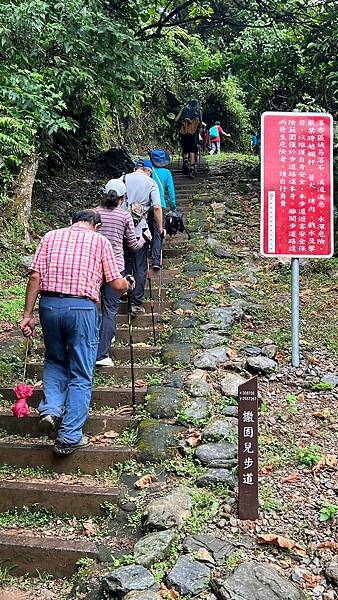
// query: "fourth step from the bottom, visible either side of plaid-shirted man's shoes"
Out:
[95,424]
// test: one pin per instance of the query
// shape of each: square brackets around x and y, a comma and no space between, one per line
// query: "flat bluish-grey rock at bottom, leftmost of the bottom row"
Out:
[126,579]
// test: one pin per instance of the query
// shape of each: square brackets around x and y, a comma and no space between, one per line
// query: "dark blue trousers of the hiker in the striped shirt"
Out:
[110,309]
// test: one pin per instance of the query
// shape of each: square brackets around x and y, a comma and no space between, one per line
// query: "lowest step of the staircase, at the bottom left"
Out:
[36,555]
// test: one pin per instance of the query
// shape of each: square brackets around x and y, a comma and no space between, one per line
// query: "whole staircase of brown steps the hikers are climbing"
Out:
[22,449]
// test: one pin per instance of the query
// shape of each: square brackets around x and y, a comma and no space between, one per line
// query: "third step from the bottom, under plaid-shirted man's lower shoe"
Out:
[40,454]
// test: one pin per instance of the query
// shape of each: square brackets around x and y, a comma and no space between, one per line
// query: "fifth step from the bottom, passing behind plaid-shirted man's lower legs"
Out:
[113,397]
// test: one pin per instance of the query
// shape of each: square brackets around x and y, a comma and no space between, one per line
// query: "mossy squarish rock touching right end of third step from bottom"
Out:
[157,441]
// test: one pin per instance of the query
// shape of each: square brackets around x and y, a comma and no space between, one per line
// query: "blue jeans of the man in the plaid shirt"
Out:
[70,329]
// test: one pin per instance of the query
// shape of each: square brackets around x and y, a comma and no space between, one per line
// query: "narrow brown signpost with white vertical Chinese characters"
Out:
[248,450]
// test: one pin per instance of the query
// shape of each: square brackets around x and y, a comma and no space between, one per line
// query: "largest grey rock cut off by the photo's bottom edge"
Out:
[255,581]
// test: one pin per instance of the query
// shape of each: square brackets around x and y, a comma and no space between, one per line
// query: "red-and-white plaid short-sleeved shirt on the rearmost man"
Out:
[74,260]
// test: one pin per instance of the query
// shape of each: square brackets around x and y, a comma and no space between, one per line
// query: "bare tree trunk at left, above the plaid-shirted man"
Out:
[21,203]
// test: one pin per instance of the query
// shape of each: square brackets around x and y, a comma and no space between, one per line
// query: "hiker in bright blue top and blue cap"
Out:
[164,179]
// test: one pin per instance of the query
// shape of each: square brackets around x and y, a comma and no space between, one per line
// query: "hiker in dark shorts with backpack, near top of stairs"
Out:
[189,120]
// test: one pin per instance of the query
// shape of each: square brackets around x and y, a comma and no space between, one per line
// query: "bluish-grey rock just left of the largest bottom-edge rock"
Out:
[188,577]
